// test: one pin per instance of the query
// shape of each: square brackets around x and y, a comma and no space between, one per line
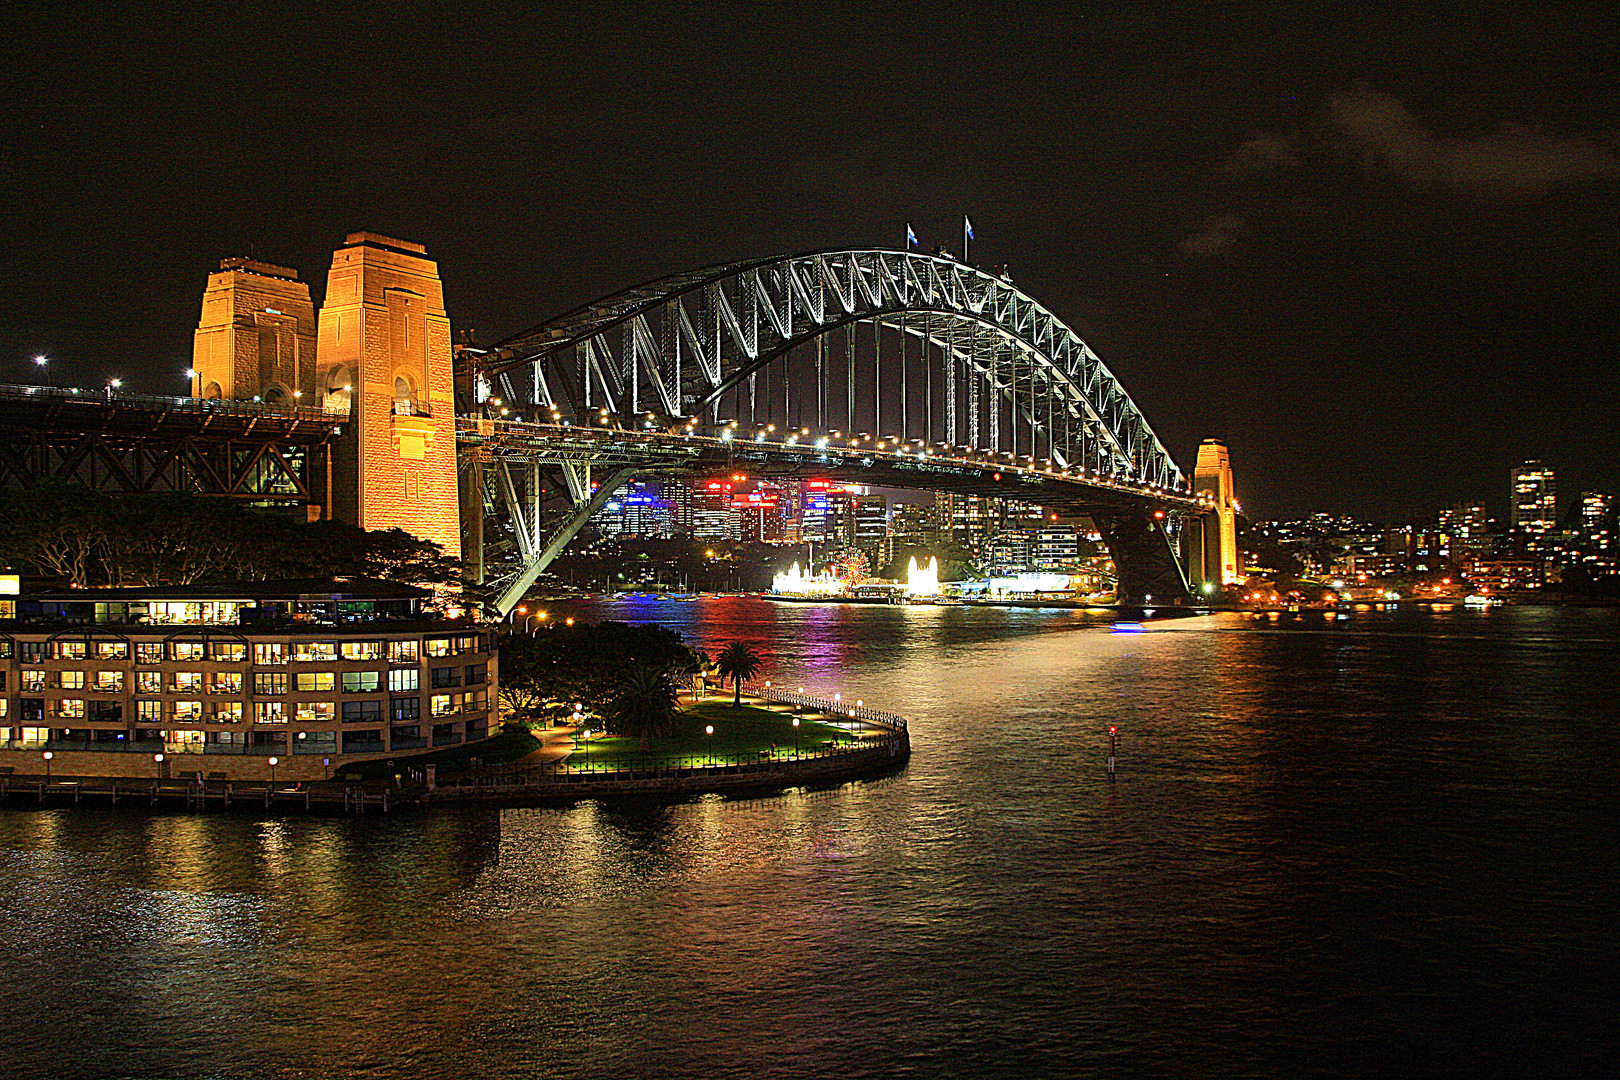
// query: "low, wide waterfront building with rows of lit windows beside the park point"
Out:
[318,674]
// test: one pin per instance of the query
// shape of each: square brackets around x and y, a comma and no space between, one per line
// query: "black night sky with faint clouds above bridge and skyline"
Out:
[1376,253]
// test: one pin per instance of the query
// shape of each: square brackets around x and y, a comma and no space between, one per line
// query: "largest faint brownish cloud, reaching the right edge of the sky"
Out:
[1512,163]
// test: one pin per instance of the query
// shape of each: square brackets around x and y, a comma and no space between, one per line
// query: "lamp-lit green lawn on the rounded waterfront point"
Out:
[740,738]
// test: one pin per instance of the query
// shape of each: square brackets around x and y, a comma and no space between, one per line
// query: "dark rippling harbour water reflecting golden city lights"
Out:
[1378,846]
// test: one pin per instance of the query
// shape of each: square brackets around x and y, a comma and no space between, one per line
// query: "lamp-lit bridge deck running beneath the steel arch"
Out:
[793,457]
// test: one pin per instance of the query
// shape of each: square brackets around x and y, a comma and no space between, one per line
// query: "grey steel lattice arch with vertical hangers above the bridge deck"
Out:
[1008,376]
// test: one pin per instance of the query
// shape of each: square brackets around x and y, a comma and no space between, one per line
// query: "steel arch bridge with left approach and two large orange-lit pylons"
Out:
[876,367]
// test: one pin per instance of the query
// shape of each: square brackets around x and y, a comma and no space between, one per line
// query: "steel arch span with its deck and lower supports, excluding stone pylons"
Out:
[882,354]
